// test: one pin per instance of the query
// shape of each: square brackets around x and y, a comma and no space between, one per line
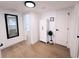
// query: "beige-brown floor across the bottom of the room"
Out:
[39,50]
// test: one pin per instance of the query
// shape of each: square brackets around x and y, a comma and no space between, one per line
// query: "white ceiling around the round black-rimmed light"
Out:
[41,6]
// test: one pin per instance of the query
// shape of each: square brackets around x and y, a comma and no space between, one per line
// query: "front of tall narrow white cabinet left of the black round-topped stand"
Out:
[43,30]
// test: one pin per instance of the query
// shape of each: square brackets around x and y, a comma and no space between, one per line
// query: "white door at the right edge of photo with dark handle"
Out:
[74,33]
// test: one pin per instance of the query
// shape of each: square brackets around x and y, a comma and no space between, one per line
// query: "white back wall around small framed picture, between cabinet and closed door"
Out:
[46,16]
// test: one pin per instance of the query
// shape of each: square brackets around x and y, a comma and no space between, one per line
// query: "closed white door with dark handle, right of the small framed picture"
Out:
[61,28]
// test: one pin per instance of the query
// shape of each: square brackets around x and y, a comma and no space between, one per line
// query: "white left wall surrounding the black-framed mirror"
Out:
[3,36]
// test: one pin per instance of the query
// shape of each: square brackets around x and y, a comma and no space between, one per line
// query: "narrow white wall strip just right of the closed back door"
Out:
[69,18]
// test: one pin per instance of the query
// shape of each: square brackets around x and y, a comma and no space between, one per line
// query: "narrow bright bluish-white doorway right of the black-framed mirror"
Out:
[27,27]
